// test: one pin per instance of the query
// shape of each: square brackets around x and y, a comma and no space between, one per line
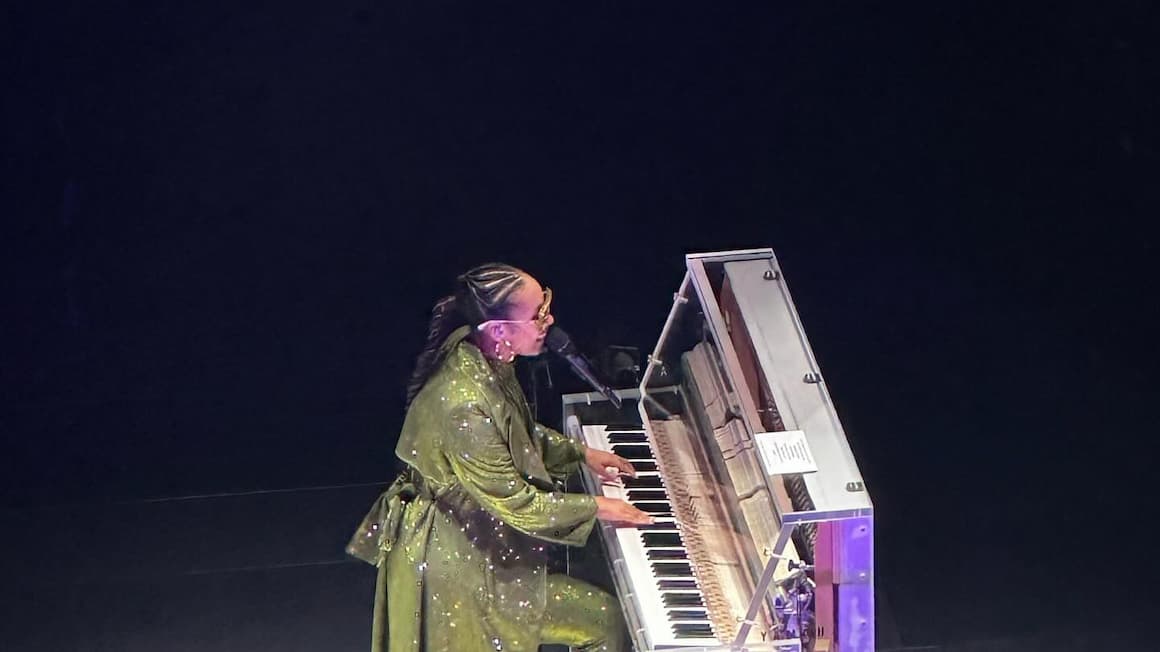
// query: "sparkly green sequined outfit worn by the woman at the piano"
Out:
[460,539]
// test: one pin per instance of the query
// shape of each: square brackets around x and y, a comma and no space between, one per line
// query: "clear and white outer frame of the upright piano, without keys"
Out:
[842,506]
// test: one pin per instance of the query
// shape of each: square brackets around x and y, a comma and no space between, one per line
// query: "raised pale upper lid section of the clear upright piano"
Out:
[739,305]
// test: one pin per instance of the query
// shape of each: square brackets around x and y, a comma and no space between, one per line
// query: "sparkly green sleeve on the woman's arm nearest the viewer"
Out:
[481,460]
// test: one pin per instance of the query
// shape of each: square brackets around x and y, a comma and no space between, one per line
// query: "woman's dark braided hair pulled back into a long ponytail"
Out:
[481,294]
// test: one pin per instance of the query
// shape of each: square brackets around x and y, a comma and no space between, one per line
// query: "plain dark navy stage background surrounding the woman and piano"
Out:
[224,226]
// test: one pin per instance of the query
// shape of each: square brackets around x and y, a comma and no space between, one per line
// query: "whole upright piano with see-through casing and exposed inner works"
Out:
[765,530]
